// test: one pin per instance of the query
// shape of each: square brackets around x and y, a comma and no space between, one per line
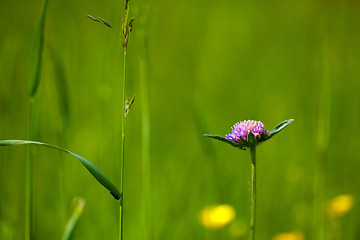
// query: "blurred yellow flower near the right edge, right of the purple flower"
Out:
[340,205]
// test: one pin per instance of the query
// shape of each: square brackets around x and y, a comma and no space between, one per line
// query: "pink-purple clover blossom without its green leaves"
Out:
[241,130]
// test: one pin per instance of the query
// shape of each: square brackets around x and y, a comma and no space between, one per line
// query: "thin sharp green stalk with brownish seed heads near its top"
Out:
[122,161]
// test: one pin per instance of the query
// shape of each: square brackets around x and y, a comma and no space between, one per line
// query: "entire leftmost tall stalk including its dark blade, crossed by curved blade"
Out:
[35,76]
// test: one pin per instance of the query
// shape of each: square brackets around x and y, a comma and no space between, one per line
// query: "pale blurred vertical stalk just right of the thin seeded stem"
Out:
[145,123]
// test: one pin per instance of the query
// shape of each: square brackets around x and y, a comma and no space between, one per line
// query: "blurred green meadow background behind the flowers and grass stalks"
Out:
[210,64]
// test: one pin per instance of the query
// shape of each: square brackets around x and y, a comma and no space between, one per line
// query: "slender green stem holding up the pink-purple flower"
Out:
[253,192]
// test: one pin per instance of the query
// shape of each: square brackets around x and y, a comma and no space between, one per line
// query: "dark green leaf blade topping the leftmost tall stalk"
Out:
[37,51]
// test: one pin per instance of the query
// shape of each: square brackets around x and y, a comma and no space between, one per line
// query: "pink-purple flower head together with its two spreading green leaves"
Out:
[249,133]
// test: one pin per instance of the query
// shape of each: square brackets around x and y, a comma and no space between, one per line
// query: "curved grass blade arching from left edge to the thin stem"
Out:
[100,177]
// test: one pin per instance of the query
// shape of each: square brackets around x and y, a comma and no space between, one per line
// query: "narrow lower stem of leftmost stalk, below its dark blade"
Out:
[29,178]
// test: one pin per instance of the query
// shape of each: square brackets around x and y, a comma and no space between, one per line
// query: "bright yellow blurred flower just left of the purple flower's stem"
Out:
[217,216]
